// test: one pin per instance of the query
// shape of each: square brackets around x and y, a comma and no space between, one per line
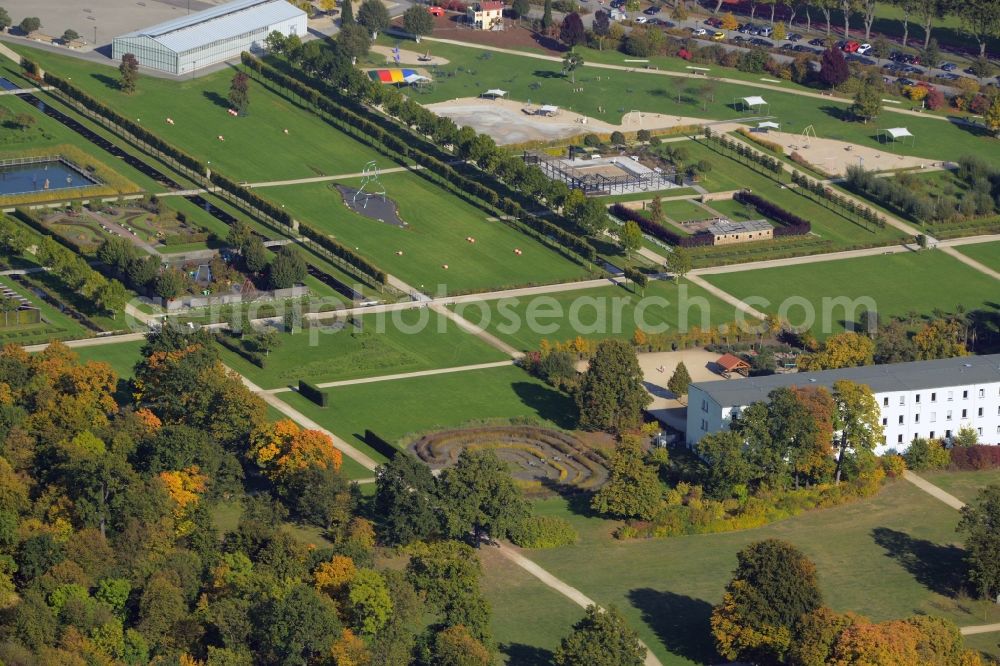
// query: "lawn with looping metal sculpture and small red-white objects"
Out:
[439,224]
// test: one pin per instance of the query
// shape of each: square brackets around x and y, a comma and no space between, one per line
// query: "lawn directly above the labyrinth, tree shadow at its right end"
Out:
[395,408]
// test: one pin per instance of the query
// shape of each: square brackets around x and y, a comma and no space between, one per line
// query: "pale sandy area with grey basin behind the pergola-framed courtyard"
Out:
[507,122]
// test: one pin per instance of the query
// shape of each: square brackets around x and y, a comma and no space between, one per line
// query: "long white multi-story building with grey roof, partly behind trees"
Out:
[931,399]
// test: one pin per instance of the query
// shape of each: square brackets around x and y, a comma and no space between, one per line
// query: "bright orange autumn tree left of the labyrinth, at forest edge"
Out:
[282,448]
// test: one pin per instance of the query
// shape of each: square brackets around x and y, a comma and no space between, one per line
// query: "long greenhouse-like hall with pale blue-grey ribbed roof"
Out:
[212,36]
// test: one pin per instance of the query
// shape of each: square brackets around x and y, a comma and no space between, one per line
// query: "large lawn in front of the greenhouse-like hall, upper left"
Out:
[255,146]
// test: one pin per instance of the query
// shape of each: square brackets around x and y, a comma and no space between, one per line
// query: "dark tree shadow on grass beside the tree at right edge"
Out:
[939,568]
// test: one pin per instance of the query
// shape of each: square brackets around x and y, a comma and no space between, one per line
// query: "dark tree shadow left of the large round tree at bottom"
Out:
[681,623]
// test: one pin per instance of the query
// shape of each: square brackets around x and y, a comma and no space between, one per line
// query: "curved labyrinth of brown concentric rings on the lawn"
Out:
[534,454]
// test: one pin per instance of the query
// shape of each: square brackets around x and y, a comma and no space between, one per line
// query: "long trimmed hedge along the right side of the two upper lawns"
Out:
[373,133]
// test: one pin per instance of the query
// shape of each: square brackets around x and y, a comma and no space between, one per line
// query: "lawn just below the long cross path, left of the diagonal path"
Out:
[388,343]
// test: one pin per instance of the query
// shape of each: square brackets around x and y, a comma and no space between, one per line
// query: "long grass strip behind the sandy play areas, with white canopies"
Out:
[473,70]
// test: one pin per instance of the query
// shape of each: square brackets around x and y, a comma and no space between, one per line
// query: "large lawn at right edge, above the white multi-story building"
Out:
[895,284]
